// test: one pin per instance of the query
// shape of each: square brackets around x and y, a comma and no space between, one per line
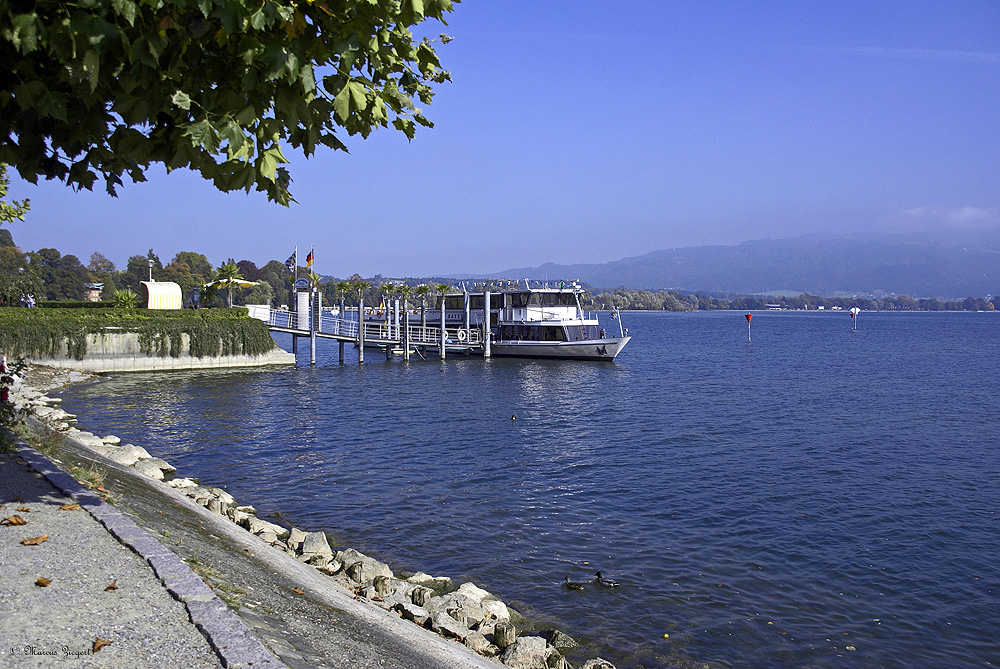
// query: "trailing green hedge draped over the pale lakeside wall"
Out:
[41,332]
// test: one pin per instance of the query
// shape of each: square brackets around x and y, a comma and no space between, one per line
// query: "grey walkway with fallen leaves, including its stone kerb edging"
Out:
[114,596]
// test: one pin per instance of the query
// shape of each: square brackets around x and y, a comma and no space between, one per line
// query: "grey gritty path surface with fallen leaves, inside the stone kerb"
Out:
[60,623]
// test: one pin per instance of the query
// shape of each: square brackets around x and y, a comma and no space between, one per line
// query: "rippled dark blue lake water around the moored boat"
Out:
[821,497]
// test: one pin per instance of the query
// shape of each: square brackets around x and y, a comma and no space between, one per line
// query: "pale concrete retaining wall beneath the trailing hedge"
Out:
[120,352]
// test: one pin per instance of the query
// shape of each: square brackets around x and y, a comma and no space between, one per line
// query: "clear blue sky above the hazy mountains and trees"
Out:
[587,132]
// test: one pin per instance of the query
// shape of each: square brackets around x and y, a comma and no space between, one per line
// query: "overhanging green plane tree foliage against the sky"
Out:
[103,88]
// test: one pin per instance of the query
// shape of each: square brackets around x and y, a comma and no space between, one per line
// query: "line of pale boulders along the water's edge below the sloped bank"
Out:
[466,614]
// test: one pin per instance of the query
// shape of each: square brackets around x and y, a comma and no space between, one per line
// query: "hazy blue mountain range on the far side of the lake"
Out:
[819,264]
